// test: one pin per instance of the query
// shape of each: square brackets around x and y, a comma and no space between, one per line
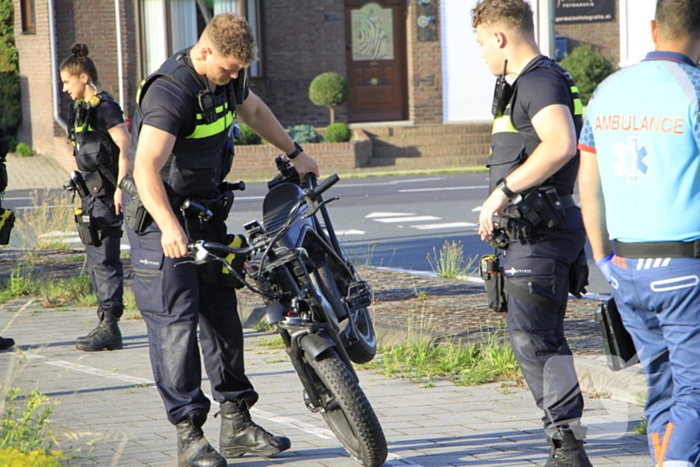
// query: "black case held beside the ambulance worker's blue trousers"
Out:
[617,342]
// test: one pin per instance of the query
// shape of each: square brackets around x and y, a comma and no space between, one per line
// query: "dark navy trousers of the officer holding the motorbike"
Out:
[175,296]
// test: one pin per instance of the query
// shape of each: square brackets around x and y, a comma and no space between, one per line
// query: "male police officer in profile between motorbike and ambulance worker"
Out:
[533,168]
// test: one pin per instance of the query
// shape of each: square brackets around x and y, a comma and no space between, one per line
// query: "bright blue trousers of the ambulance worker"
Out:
[659,302]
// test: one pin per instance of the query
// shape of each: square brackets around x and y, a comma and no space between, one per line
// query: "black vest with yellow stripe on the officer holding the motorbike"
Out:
[200,161]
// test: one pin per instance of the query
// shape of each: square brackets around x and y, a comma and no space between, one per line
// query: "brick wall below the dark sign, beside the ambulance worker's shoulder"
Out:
[603,36]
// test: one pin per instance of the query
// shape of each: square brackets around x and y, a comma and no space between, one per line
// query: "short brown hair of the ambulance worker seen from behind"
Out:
[678,19]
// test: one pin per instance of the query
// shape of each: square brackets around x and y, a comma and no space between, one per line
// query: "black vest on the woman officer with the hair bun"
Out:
[93,148]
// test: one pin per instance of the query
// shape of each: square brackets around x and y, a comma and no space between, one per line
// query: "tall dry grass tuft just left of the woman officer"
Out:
[49,224]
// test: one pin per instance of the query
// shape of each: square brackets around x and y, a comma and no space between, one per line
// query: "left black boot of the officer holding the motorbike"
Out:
[193,449]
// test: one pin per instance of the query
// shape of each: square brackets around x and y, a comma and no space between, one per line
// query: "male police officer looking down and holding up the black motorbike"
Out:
[184,125]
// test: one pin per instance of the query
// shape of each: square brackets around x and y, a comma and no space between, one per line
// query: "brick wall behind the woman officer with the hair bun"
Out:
[96,28]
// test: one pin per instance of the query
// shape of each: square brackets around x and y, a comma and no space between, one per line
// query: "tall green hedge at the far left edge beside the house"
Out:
[10,100]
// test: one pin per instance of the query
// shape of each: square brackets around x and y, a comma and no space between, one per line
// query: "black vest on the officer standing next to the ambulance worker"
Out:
[511,147]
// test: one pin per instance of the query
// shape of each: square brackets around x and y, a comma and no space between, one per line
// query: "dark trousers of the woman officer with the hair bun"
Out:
[104,265]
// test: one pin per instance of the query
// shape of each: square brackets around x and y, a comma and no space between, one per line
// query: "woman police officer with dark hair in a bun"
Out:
[101,145]
